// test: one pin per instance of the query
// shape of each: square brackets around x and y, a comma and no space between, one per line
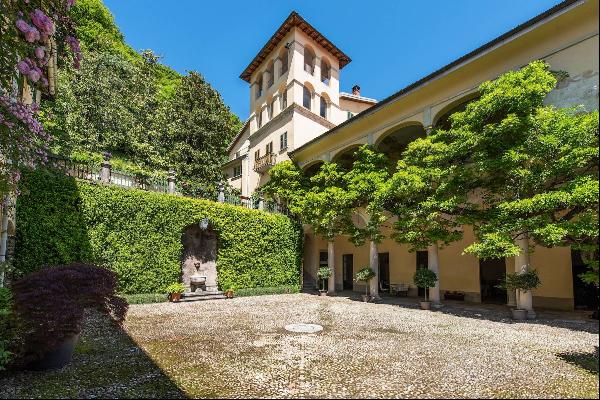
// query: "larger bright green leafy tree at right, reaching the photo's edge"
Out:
[517,169]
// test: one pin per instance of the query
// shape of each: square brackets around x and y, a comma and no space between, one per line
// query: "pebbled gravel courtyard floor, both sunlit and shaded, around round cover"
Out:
[239,348]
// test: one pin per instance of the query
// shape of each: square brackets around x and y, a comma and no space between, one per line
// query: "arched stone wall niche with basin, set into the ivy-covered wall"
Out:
[199,257]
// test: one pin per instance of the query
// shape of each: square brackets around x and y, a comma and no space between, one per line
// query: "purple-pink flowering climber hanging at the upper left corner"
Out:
[33,33]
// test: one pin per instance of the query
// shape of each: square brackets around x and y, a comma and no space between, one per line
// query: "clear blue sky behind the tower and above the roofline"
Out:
[391,43]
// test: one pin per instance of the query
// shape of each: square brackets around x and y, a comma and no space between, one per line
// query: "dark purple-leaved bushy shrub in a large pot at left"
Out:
[49,305]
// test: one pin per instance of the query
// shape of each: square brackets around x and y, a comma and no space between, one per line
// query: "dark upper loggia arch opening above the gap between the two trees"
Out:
[395,141]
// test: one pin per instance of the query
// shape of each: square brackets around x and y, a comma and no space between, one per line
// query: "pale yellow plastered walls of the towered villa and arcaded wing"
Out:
[566,37]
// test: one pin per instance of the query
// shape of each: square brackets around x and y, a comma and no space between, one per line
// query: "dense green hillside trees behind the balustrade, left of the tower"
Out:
[148,116]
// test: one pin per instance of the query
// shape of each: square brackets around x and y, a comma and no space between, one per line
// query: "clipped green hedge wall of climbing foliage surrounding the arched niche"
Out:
[138,234]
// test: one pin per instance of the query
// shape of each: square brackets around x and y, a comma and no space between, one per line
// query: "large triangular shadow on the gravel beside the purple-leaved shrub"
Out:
[107,364]
